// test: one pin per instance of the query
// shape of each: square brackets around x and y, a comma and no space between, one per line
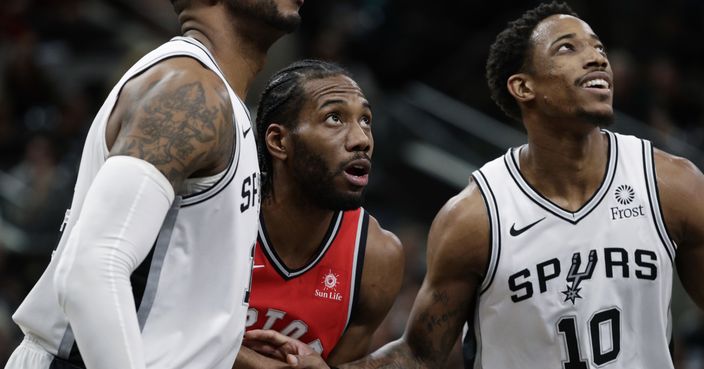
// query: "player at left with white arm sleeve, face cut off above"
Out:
[154,264]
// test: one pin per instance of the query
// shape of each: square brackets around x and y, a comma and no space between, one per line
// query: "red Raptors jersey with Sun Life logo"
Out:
[312,304]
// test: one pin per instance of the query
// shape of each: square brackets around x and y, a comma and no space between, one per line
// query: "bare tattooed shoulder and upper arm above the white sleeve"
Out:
[177,116]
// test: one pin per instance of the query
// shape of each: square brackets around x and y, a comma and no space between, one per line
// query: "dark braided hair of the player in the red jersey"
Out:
[281,103]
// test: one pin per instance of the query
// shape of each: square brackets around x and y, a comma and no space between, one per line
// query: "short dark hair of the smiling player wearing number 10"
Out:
[509,54]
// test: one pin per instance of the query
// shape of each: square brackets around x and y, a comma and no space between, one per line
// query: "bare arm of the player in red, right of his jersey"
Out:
[381,281]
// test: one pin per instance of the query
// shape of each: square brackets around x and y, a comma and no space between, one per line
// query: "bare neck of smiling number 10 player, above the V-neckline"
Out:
[565,162]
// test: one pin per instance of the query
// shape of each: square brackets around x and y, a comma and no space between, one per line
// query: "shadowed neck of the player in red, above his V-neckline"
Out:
[295,228]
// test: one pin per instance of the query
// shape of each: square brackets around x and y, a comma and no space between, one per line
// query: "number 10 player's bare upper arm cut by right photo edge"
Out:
[680,187]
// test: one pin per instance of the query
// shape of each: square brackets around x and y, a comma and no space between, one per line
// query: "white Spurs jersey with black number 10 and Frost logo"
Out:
[575,290]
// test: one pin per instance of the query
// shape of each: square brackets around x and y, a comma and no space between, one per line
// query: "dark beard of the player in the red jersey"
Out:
[317,180]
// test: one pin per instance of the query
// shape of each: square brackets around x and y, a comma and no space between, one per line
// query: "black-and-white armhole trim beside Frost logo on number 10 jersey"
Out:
[654,199]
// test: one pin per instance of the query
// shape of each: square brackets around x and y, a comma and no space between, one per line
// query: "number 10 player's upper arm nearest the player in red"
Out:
[458,249]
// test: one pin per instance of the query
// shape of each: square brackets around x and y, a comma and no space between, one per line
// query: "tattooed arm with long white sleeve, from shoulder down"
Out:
[171,122]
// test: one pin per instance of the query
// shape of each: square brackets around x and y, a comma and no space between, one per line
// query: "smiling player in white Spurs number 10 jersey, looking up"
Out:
[561,253]
